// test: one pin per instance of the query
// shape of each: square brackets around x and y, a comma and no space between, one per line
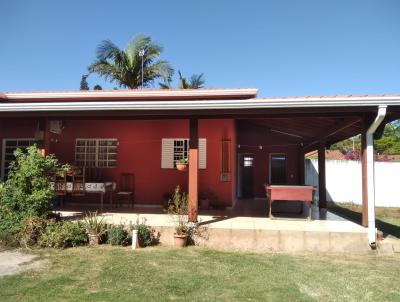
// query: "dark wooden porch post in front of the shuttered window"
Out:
[193,170]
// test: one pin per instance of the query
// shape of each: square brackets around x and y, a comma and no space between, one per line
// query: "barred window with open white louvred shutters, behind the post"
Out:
[174,149]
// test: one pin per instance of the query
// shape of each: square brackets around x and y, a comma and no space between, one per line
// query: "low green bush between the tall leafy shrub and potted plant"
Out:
[63,234]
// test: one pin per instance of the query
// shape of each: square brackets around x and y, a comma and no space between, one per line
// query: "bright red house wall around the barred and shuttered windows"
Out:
[139,152]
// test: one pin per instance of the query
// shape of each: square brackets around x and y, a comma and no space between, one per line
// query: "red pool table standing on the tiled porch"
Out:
[290,193]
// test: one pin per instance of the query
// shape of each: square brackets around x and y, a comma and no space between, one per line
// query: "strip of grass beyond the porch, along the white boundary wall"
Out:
[387,219]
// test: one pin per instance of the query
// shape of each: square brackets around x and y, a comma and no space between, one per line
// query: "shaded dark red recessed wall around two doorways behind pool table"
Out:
[250,138]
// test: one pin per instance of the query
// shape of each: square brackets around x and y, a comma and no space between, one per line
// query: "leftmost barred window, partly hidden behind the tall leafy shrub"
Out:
[9,146]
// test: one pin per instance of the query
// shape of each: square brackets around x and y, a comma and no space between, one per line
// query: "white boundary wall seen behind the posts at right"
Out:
[343,181]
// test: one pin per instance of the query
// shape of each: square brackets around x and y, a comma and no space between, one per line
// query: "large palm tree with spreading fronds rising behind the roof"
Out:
[124,66]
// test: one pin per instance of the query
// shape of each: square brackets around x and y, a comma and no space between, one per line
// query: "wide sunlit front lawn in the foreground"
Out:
[195,274]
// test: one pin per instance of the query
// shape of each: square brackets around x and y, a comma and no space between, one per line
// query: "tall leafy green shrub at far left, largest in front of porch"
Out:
[27,192]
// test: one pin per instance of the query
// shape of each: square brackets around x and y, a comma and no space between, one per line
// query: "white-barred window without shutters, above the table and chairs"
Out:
[96,152]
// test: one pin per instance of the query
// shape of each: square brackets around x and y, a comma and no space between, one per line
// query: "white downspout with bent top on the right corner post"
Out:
[371,174]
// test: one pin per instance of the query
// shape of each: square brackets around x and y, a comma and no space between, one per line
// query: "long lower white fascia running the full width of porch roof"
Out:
[168,105]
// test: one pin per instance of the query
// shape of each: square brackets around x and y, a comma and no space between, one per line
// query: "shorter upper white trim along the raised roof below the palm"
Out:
[134,93]
